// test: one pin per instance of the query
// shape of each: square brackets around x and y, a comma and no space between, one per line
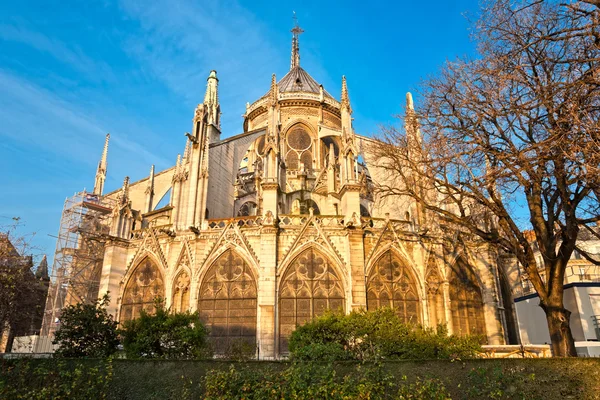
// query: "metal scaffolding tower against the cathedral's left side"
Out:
[77,266]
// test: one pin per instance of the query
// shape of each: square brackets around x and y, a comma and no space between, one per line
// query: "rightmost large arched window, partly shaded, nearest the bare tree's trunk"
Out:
[466,302]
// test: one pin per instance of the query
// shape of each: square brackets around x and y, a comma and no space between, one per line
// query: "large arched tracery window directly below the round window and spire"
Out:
[309,287]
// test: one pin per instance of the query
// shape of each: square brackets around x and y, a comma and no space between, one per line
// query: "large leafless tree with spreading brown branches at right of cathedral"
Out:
[517,128]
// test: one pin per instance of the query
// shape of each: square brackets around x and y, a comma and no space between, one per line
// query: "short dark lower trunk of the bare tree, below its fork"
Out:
[563,344]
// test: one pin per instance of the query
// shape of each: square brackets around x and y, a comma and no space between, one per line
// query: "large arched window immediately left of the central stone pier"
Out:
[227,302]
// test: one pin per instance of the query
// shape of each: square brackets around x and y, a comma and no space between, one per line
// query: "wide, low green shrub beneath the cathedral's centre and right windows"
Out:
[373,335]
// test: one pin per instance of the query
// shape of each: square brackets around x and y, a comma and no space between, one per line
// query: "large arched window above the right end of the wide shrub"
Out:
[390,284]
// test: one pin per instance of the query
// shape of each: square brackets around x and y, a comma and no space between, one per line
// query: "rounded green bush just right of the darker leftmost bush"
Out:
[165,335]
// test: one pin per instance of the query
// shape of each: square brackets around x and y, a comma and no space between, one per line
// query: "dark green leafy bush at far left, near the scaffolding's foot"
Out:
[87,330]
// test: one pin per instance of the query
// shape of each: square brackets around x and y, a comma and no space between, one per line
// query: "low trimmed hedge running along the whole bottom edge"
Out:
[545,379]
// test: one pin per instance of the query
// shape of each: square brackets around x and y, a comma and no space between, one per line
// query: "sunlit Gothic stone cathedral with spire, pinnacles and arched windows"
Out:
[268,228]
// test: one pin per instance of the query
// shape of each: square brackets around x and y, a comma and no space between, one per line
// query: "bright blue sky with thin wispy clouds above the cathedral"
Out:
[72,71]
